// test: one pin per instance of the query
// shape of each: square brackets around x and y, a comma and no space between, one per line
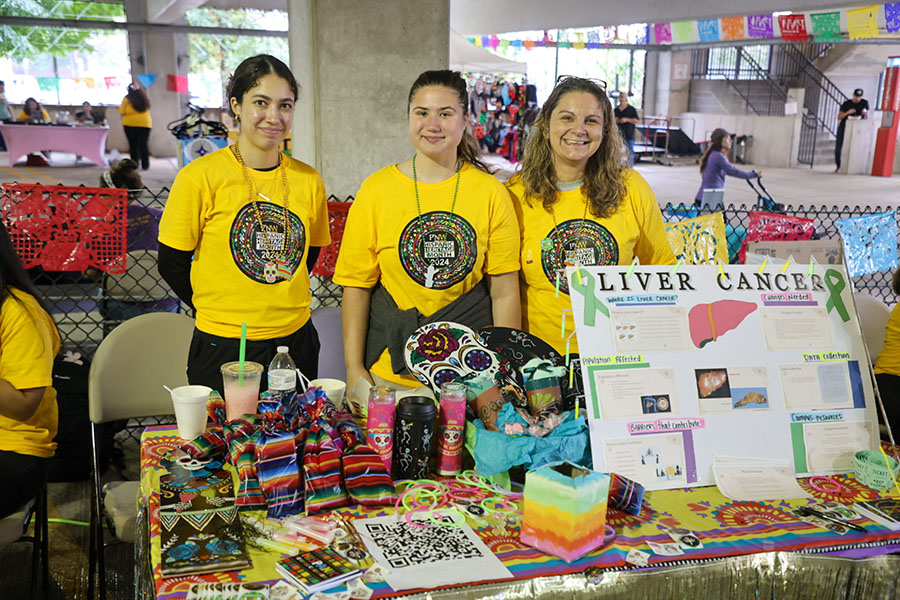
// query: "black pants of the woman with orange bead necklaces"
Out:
[209,352]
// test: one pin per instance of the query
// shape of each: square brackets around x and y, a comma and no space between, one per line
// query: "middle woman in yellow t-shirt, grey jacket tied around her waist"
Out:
[435,234]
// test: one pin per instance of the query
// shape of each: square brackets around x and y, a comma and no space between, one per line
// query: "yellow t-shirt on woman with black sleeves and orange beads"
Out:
[209,212]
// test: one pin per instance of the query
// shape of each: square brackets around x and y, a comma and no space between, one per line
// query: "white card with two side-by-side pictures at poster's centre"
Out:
[733,388]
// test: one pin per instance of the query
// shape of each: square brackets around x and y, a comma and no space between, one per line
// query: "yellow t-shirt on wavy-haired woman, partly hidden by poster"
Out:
[549,239]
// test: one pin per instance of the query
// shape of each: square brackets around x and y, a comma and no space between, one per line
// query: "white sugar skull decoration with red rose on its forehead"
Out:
[440,352]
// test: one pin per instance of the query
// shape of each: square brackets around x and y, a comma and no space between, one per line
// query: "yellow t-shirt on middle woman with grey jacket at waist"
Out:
[426,261]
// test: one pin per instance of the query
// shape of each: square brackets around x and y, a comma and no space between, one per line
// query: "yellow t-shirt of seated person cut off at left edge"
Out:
[28,344]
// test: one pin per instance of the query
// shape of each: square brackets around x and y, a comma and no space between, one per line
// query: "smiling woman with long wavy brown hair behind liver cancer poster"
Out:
[579,204]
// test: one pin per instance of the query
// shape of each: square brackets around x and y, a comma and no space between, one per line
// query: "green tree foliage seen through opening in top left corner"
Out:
[21,42]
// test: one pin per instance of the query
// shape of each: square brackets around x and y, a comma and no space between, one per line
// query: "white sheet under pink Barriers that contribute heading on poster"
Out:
[653,460]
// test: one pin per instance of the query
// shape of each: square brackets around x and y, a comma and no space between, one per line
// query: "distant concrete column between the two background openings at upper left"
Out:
[170,56]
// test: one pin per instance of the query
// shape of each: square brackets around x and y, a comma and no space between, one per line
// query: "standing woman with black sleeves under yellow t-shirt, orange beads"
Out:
[241,230]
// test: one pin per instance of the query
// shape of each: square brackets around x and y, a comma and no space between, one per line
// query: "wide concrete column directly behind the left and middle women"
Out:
[366,56]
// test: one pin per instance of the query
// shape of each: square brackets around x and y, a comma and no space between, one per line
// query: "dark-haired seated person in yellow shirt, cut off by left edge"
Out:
[28,413]
